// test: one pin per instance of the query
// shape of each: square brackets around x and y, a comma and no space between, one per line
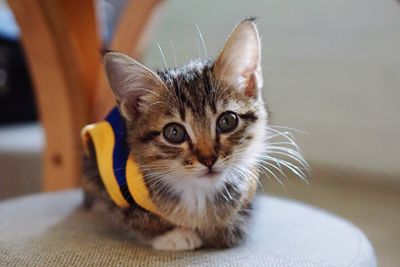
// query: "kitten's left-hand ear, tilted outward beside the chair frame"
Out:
[130,82]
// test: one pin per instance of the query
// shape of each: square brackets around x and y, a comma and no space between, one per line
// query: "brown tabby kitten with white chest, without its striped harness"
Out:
[198,133]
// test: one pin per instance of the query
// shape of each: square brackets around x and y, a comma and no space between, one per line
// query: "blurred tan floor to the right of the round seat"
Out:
[375,209]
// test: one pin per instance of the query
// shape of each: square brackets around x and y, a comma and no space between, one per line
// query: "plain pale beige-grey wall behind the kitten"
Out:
[332,68]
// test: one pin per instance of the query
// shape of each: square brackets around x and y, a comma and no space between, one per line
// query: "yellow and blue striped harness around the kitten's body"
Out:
[119,172]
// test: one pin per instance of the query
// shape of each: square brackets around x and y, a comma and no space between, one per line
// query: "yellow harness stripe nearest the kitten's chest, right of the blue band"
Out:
[138,188]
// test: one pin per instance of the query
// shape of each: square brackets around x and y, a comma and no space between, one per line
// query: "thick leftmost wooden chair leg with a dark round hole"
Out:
[54,54]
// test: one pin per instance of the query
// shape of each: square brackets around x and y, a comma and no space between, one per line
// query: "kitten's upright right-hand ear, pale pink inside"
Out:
[238,63]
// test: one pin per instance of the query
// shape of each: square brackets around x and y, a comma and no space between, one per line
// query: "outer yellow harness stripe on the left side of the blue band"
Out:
[103,138]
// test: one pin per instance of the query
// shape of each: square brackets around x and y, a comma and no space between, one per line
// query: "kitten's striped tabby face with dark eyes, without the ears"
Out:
[198,129]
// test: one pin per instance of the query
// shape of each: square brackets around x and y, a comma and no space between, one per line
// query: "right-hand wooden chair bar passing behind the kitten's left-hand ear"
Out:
[129,37]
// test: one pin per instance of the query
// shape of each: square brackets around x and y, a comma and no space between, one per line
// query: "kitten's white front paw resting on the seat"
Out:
[177,239]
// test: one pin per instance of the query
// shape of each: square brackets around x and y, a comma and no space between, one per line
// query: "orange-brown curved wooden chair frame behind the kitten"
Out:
[62,45]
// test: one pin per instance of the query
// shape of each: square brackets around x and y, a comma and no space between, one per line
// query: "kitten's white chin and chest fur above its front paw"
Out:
[203,202]
